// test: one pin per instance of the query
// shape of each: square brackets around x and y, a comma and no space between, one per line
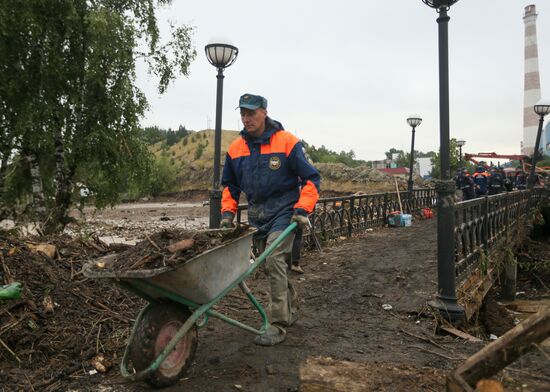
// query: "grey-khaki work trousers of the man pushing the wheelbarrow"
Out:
[283,299]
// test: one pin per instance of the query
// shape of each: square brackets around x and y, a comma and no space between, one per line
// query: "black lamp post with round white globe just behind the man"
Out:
[221,54]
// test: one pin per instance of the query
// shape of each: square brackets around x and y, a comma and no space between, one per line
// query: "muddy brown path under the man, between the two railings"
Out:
[341,316]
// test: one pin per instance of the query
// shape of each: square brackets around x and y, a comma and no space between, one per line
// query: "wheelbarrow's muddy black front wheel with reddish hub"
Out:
[159,324]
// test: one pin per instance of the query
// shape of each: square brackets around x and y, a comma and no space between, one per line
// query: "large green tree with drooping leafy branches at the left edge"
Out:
[69,105]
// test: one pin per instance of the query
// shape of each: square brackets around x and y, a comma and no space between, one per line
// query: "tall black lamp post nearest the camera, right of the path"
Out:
[445,300]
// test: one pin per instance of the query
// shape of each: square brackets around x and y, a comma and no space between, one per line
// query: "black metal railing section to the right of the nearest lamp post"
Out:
[483,223]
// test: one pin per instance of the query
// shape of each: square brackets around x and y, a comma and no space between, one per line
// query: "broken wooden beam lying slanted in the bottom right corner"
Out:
[496,356]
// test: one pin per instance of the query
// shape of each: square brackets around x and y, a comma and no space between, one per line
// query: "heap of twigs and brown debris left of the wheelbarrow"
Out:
[63,327]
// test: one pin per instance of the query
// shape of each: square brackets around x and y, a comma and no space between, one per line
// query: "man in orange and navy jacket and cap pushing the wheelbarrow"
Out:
[281,185]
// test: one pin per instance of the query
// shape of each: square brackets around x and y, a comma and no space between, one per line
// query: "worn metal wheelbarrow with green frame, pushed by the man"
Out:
[164,337]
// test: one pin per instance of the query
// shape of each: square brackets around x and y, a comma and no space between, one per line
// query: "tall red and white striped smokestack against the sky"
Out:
[531,90]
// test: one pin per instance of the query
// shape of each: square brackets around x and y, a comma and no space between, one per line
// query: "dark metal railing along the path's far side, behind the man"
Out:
[335,217]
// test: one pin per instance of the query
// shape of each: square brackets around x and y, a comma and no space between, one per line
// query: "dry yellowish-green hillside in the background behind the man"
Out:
[193,157]
